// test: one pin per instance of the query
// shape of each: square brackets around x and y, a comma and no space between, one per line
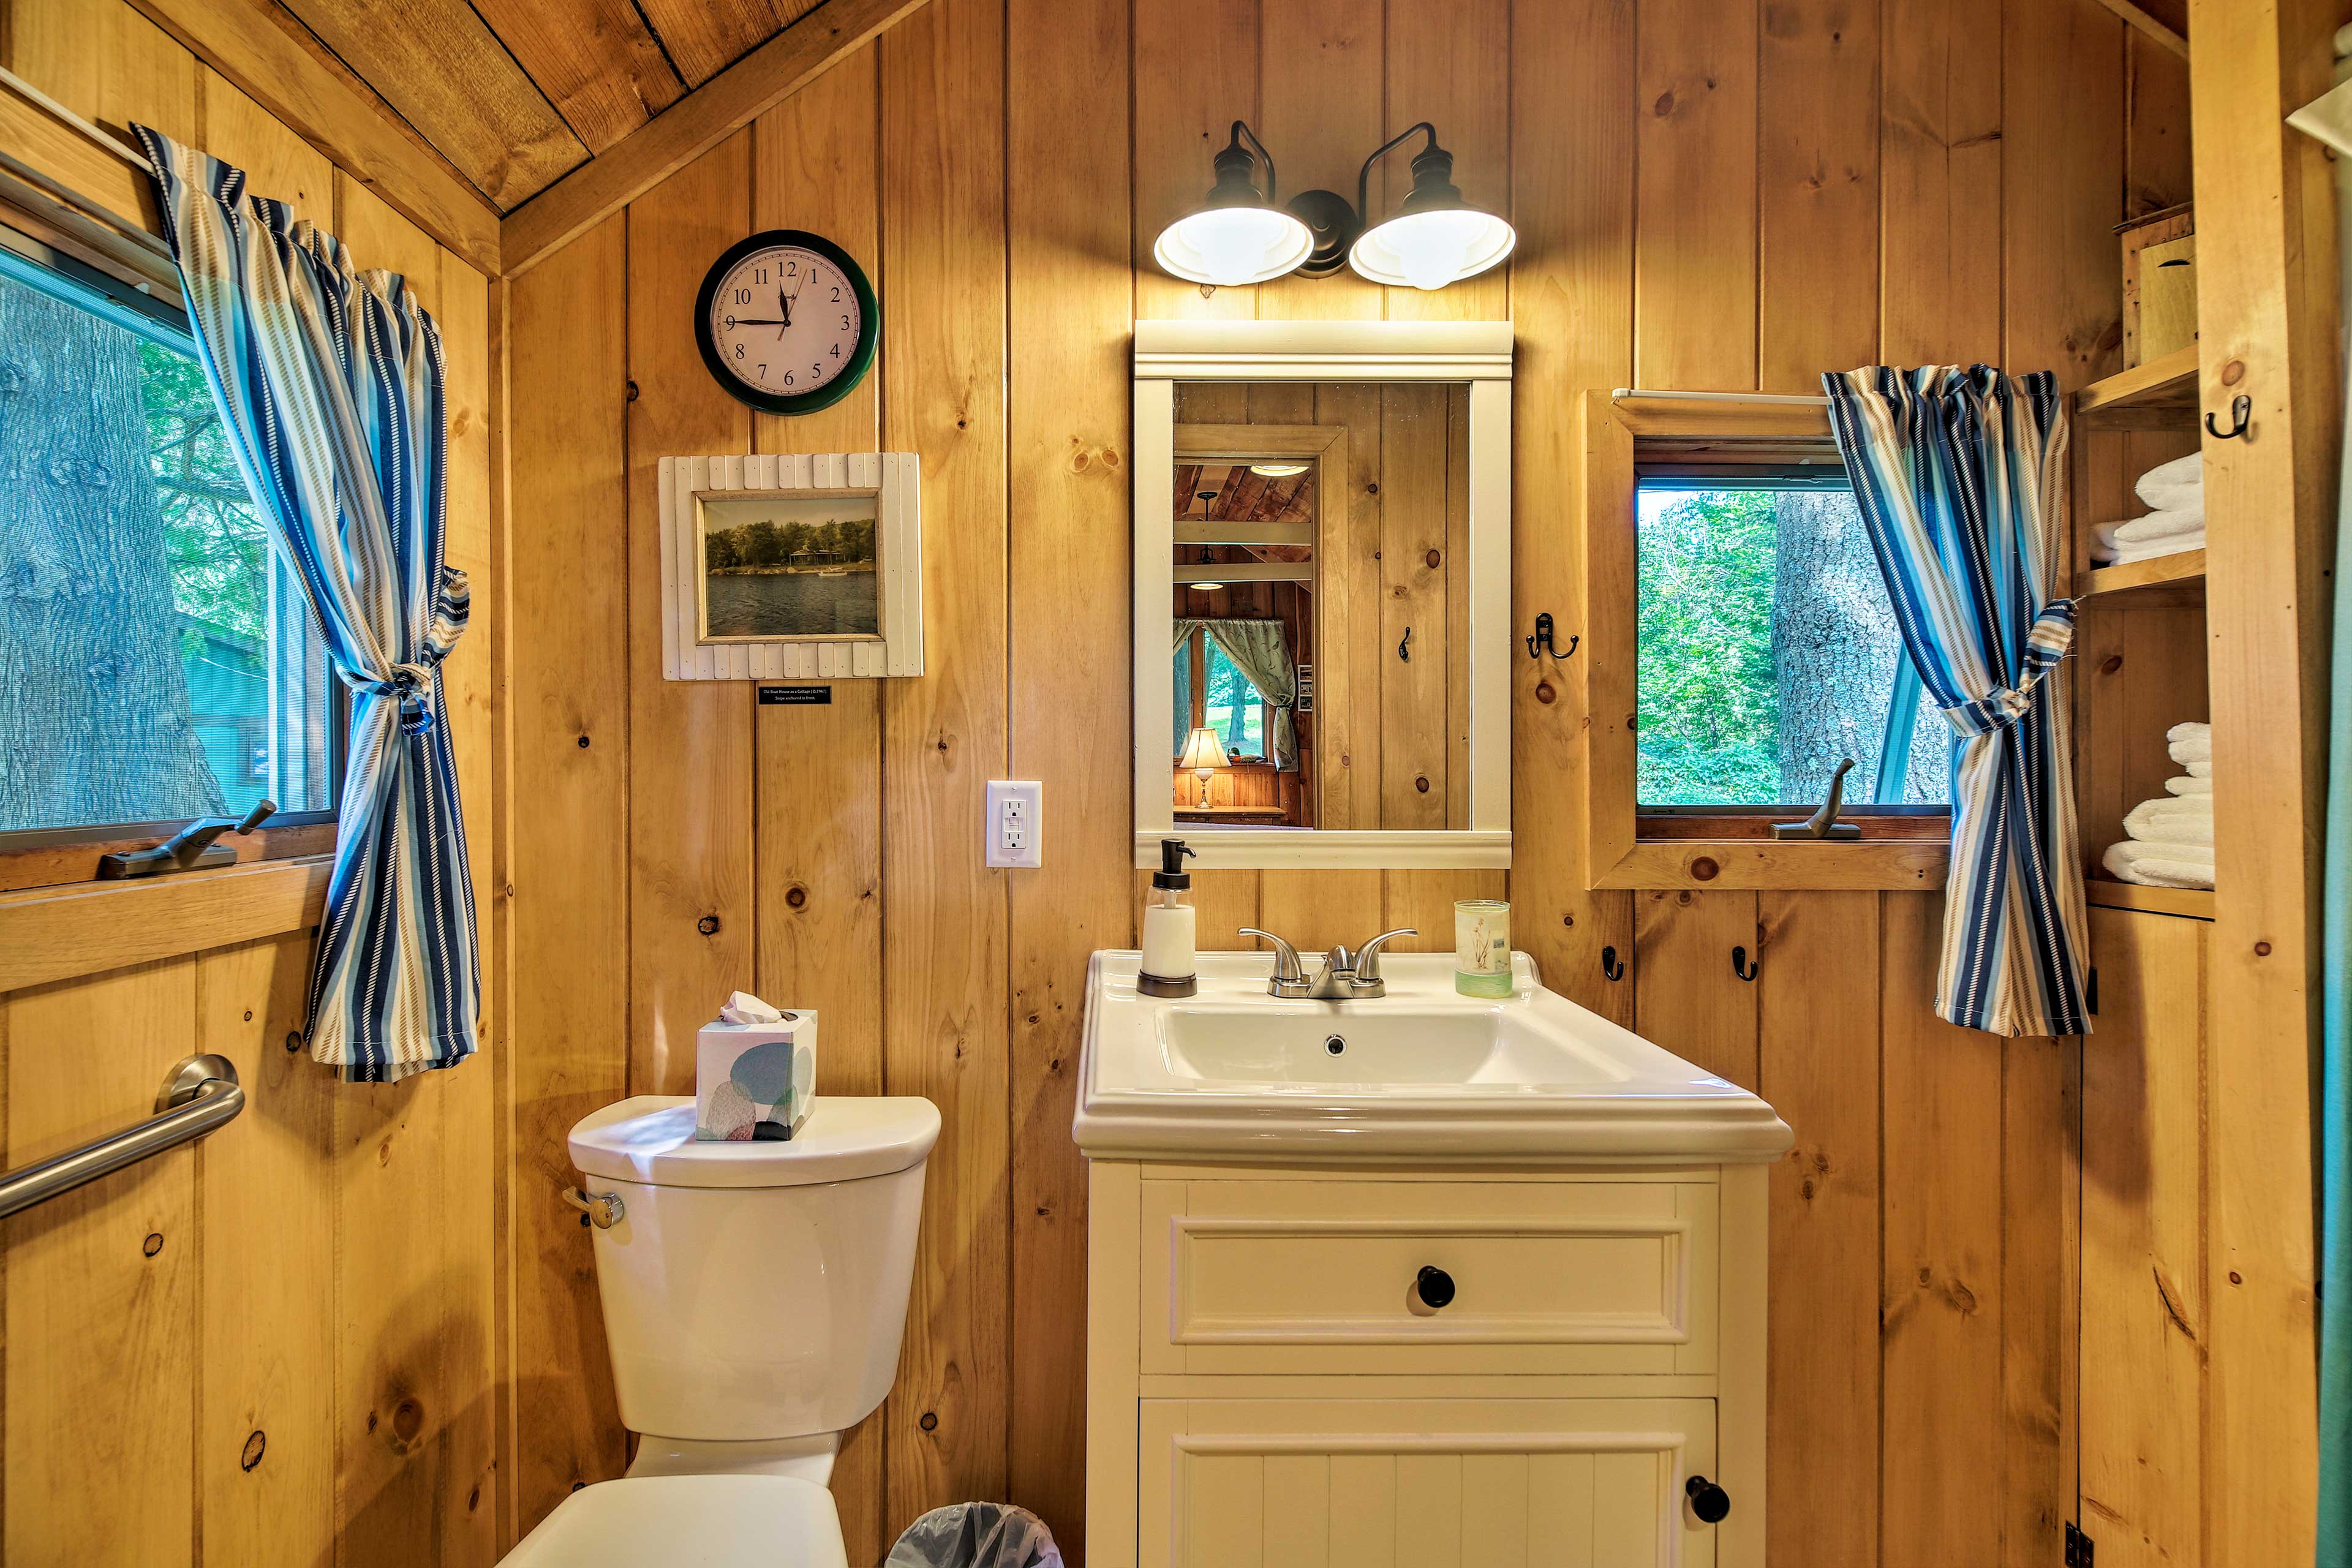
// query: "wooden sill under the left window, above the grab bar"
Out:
[65,932]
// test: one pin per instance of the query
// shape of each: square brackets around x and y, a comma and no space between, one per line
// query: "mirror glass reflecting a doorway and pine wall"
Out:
[1339,514]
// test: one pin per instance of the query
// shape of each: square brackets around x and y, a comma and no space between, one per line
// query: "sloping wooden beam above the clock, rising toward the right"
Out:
[690,128]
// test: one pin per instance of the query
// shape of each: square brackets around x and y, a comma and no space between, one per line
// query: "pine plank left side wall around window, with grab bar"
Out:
[279,1346]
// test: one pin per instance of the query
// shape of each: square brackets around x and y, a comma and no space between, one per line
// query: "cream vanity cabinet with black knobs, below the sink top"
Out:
[1269,1386]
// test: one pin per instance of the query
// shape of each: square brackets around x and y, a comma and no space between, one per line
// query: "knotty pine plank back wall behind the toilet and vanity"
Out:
[1711,196]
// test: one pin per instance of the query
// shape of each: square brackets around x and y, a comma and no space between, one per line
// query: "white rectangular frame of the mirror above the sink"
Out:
[1328,351]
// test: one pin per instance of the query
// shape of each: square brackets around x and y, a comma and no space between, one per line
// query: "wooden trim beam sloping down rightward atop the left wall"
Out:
[250,48]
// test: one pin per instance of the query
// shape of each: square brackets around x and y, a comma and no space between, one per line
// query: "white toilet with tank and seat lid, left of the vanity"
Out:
[754,1306]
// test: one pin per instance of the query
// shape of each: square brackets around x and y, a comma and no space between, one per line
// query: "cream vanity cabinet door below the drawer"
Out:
[1419,1482]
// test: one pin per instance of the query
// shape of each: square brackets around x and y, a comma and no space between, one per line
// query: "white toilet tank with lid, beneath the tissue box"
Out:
[756,1289]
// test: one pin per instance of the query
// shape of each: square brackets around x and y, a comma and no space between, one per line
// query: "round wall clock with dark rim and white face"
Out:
[787,321]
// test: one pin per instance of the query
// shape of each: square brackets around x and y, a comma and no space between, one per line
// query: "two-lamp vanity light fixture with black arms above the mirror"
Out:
[1238,236]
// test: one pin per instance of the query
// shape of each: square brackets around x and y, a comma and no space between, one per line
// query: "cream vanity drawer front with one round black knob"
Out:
[1318,1278]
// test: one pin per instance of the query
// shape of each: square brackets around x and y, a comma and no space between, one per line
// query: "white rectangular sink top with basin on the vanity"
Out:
[1422,1071]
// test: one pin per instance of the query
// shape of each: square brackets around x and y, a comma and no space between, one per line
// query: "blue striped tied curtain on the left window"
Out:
[330,387]
